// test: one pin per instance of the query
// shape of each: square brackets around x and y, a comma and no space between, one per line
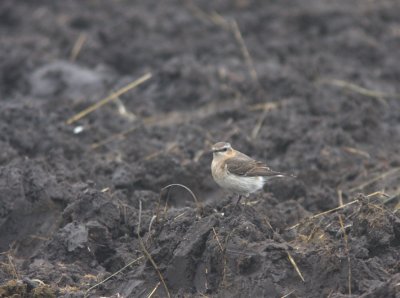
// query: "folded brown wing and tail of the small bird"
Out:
[245,166]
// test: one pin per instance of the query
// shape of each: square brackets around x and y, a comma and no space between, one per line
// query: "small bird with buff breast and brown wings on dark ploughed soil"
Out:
[237,172]
